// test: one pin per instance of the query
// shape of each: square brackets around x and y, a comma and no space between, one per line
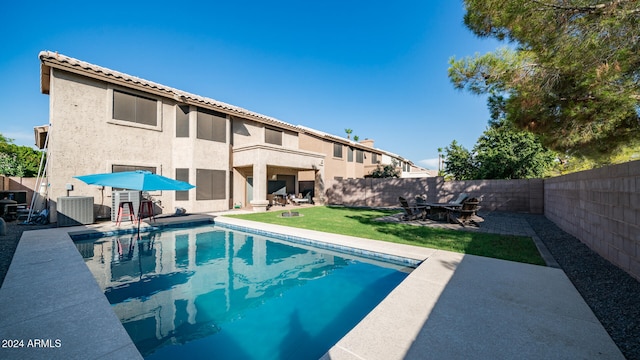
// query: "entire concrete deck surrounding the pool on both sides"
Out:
[451,306]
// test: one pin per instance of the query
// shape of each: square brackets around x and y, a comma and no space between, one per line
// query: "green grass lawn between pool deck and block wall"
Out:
[360,223]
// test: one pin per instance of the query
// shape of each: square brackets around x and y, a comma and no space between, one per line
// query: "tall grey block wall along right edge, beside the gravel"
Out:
[601,207]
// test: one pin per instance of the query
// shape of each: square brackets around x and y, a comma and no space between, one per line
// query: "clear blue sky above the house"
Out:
[377,67]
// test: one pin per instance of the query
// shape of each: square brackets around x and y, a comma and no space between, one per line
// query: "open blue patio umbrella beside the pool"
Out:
[135,180]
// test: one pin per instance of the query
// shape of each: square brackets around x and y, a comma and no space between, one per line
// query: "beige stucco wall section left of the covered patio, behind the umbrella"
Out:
[85,140]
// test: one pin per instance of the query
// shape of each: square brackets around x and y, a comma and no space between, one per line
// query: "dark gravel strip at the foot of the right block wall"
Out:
[612,294]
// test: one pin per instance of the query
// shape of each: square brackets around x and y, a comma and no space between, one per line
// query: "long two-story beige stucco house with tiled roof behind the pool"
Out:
[106,121]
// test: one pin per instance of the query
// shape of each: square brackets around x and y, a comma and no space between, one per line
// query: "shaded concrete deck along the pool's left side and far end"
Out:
[51,305]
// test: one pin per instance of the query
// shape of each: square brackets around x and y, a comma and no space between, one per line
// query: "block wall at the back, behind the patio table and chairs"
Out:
[501,195]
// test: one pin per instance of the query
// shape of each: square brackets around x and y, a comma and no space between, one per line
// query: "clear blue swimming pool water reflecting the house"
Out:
[212,293]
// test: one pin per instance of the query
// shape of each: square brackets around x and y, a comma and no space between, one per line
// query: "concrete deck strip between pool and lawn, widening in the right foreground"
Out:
[465,306]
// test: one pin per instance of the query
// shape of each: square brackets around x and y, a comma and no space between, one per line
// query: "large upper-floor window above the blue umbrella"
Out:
[135,108]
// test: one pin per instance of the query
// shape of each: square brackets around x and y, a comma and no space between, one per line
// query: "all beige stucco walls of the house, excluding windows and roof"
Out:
[86,139]
